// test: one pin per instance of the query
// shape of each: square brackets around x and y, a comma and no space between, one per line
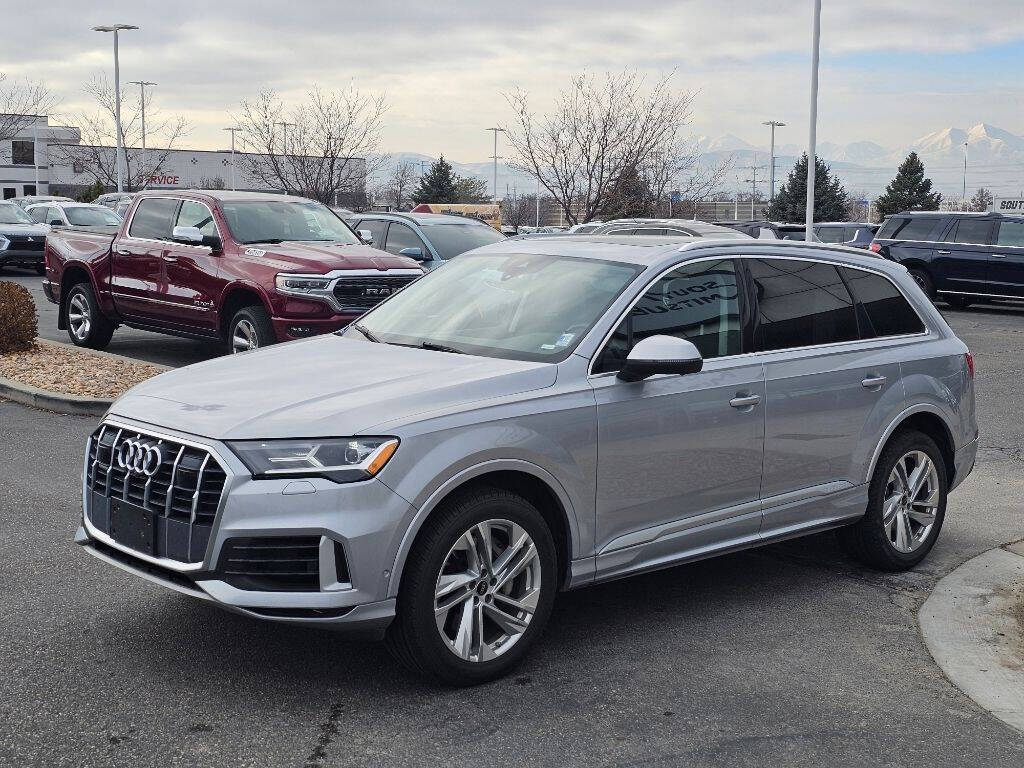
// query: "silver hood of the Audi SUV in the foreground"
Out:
[324,387]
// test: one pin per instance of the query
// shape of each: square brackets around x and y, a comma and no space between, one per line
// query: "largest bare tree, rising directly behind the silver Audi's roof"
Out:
[603,134]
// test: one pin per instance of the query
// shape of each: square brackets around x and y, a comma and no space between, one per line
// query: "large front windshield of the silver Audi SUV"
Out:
[517,307]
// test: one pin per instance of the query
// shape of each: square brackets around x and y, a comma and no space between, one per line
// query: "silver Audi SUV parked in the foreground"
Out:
[539,416]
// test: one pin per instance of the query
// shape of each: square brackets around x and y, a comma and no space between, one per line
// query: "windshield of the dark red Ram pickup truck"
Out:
[275,222]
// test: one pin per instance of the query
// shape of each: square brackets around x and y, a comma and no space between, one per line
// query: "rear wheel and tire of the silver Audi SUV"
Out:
[874,542]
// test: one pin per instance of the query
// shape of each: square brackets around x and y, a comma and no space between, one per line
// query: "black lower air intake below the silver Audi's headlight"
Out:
[288,564]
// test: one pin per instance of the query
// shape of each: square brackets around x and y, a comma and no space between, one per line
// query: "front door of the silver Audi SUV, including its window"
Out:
[679,457]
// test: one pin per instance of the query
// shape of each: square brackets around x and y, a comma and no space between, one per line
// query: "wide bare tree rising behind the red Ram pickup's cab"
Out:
[323,148]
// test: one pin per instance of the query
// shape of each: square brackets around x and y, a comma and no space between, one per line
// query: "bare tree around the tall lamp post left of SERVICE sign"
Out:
[98,155]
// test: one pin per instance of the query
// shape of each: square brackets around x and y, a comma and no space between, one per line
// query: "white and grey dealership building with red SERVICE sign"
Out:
[47,159]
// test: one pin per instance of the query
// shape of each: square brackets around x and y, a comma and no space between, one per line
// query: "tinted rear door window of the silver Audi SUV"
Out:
[801,304]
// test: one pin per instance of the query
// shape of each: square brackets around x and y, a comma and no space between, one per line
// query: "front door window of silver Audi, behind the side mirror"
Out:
[698,303]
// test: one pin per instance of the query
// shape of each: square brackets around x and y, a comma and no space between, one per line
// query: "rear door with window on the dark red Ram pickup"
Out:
[138,282]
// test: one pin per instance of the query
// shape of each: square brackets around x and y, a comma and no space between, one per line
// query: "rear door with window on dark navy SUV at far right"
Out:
[962,260]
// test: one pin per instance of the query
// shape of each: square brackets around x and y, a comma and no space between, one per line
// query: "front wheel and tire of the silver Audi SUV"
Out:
[428,649]
